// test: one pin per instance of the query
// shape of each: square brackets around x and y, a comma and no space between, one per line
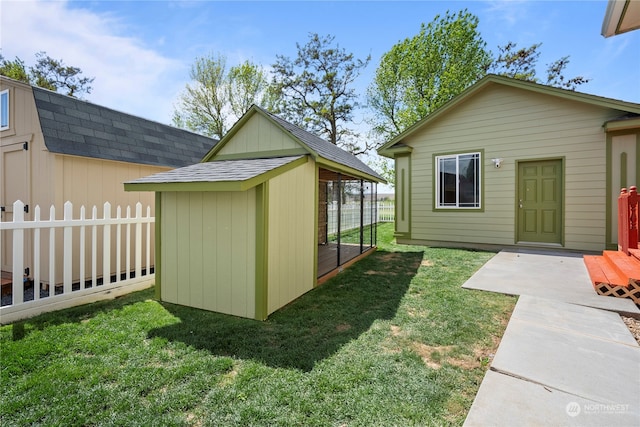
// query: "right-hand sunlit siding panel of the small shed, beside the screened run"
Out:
[291,235]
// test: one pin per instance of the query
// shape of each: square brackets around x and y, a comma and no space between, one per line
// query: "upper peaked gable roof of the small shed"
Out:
[323,151]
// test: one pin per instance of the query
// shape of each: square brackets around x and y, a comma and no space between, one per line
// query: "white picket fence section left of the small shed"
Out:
[83,279]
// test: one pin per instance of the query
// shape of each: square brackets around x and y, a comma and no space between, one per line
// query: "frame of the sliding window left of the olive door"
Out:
[479,205]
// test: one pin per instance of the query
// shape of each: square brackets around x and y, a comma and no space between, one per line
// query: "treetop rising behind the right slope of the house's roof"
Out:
[521,64]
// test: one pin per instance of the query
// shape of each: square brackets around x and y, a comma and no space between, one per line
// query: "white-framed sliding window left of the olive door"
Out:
[458,181]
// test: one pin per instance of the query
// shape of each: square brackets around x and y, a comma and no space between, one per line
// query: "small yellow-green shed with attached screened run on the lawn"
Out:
[247,230]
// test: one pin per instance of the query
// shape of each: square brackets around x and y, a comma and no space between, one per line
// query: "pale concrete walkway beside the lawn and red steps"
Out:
[566,357]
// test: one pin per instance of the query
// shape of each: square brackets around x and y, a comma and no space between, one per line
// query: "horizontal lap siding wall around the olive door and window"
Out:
[513,125]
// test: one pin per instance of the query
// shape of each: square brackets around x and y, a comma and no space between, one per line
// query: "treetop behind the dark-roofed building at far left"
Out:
[48,73]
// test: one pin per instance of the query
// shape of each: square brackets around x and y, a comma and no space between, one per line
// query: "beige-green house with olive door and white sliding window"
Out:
[514,163]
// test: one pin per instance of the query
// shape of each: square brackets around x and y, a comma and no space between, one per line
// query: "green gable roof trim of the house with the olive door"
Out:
[396,144]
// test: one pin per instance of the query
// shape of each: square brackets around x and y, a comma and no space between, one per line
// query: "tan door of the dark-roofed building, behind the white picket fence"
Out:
[14,185]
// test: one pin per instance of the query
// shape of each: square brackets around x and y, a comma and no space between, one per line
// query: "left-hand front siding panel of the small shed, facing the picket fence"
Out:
[208,250]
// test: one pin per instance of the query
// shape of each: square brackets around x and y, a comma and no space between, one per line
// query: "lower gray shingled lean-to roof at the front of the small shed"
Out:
[220,171]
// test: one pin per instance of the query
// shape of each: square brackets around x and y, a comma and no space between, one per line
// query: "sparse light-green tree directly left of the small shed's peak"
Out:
[216,98]
